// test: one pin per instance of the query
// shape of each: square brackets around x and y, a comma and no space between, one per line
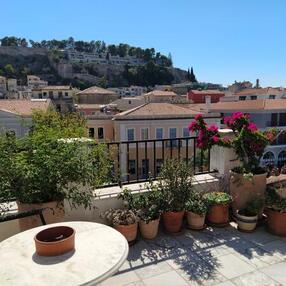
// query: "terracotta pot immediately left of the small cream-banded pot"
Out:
[218,214]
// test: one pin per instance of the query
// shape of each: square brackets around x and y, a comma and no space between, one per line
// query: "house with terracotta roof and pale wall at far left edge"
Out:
[16,115]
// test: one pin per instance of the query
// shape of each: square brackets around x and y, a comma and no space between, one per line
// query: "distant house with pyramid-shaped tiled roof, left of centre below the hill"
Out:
[96,95]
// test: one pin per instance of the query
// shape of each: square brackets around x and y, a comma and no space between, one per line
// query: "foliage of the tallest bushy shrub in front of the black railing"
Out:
[174,185]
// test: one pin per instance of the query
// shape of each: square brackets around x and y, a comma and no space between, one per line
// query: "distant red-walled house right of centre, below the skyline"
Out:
[200,96]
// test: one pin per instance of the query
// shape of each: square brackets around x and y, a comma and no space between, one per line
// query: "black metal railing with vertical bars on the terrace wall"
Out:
[140,160]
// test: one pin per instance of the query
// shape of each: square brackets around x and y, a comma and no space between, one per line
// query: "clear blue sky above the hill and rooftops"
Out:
[224,40]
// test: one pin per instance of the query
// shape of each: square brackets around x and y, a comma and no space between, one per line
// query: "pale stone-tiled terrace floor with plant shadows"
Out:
[214,256]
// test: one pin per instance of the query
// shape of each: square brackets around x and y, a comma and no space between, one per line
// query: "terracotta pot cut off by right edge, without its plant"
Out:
[276,222]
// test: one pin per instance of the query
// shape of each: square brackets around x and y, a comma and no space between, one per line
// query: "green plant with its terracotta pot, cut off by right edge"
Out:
[276,210]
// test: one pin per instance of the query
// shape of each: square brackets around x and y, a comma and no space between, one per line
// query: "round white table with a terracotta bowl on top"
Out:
[99,252]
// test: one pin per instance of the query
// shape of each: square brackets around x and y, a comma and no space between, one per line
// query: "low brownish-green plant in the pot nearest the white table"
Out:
[120,216]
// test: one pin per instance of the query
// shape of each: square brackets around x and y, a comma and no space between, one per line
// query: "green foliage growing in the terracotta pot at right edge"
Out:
[275,198]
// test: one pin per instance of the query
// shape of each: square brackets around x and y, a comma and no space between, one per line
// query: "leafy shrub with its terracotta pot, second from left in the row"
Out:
[146,207]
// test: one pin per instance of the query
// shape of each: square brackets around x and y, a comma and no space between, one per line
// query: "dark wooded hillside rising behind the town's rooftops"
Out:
[54,66]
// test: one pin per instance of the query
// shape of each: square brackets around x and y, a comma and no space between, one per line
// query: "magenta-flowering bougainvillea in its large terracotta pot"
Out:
[248,180]
